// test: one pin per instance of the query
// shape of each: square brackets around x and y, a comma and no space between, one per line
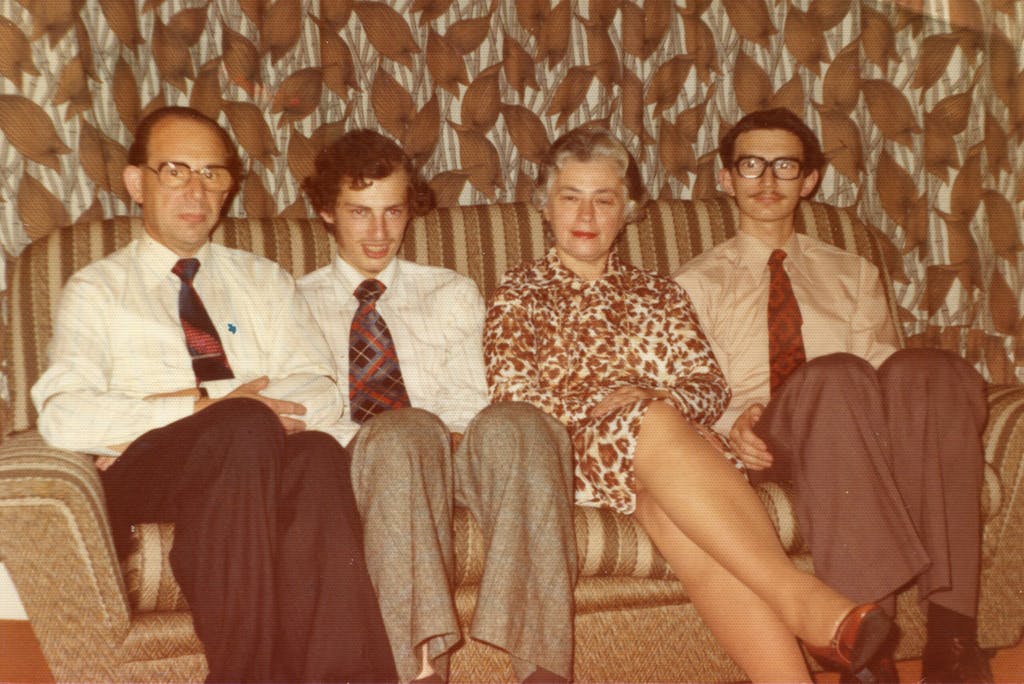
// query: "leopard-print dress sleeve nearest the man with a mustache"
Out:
[702,393]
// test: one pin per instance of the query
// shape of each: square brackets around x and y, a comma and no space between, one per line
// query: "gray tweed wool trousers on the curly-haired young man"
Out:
[514,471]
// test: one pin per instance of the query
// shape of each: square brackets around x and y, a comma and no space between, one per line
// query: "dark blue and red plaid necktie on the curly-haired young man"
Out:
[375,382]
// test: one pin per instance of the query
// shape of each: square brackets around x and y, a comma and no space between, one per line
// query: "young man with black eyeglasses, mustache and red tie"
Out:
[883,446]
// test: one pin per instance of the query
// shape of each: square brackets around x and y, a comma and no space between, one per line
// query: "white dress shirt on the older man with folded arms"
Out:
[118,339]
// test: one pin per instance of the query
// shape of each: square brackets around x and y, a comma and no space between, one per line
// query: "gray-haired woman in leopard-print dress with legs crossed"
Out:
[617,355]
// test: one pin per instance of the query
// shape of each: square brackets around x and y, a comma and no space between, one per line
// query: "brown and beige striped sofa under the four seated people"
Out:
[99,621]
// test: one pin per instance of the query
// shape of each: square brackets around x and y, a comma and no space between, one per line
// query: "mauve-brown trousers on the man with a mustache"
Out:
[887,467]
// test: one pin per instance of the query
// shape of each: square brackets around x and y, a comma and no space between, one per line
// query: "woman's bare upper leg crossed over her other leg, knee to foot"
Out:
[710,504]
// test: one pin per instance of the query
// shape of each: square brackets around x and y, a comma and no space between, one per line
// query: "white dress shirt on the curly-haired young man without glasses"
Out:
[436,317]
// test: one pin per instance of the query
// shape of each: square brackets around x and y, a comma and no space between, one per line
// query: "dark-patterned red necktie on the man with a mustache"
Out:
[786,345]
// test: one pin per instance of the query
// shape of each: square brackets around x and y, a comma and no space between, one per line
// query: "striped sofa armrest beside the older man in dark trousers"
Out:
[56,542]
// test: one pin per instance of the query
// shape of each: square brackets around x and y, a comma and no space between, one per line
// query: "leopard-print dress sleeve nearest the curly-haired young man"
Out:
[514,365]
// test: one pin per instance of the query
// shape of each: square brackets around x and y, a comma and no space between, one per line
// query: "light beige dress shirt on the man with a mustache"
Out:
[841,301]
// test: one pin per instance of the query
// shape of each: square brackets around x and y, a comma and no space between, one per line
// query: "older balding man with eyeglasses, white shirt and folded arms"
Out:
[197,376]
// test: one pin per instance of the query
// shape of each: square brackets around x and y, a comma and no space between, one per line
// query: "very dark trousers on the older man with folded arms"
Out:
[268,545]
